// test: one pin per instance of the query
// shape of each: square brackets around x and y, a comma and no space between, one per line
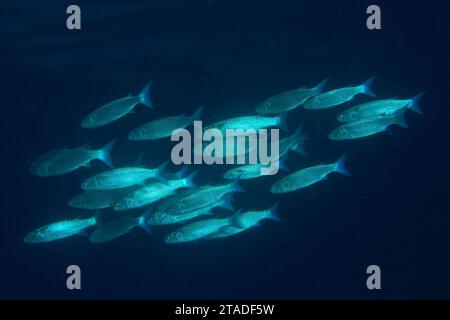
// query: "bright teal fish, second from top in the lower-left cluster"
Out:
[153,192]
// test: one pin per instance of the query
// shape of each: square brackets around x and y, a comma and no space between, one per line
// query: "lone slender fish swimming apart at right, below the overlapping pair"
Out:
[308,176]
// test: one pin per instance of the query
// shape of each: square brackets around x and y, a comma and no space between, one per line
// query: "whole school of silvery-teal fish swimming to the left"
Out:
[174,198]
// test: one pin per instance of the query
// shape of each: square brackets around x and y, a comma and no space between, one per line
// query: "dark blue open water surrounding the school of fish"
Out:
[229,56]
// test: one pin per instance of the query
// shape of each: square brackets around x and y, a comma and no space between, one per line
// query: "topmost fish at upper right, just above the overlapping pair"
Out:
[339,96]
